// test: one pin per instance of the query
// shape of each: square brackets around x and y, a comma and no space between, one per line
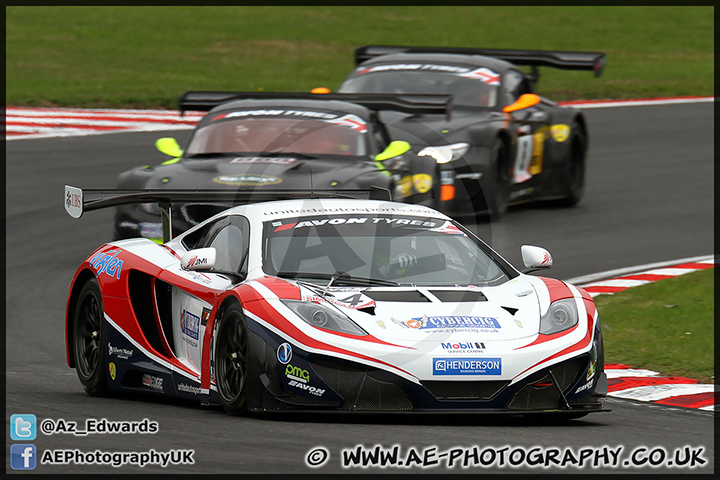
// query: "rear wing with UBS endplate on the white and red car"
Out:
[77,202]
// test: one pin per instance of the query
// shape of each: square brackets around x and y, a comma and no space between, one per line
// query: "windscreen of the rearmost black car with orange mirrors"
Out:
[470,87]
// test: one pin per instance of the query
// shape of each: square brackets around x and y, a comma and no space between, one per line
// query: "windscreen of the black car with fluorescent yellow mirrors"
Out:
[253,131]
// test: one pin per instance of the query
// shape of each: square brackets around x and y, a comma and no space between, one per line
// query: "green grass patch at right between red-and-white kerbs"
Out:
[665,326]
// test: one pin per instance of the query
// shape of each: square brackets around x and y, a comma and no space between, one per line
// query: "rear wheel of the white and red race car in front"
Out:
[89,337]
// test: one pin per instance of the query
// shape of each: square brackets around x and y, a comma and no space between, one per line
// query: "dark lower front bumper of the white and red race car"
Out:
[312,382]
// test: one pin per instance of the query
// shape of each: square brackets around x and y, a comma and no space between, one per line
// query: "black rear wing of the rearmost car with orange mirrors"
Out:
[565,60]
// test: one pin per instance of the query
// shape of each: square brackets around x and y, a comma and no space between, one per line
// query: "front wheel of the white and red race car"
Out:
[231,360]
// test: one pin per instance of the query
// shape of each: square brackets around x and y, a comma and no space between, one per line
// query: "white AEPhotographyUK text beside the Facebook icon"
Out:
[117,459]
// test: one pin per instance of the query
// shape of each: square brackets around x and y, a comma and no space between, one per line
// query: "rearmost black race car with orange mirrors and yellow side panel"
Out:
[502,144]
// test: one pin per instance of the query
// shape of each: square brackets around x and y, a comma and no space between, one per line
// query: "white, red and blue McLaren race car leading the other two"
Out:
[330,304]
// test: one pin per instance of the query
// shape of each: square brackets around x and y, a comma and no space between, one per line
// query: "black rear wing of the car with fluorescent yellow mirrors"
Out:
[419,104]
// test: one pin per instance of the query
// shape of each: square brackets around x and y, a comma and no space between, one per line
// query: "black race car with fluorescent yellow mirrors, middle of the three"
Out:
[275,144]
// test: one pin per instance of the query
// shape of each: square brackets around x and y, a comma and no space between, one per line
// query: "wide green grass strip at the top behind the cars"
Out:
[147,56]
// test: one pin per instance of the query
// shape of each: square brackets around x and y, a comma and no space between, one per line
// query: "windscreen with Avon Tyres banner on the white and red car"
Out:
[380,249]
